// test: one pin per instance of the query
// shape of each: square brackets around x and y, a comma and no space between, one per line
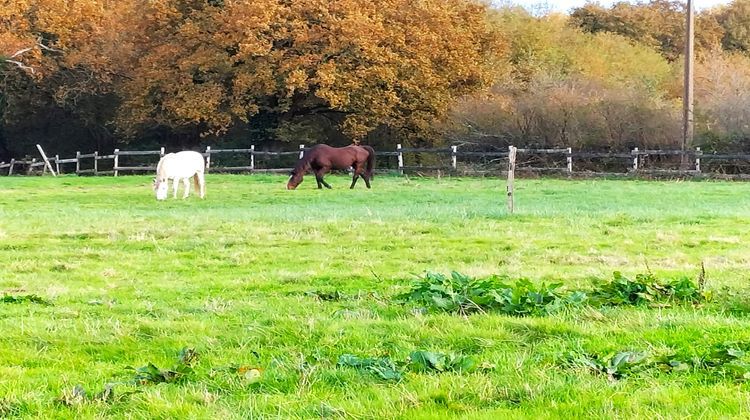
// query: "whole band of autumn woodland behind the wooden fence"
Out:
[95,75]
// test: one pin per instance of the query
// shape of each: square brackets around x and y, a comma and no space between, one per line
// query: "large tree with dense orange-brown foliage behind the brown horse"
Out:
[201,66]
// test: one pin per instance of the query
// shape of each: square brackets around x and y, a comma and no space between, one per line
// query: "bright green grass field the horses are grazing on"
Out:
[248,278]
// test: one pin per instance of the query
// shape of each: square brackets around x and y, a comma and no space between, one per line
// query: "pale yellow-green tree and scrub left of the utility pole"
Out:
[567,88]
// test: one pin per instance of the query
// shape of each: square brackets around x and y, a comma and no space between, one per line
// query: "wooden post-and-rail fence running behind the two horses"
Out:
[402,160]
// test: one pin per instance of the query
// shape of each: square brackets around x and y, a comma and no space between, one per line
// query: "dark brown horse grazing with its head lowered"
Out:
[322,158]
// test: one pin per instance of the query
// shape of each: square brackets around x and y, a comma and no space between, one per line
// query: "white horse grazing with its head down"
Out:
[180,166]
